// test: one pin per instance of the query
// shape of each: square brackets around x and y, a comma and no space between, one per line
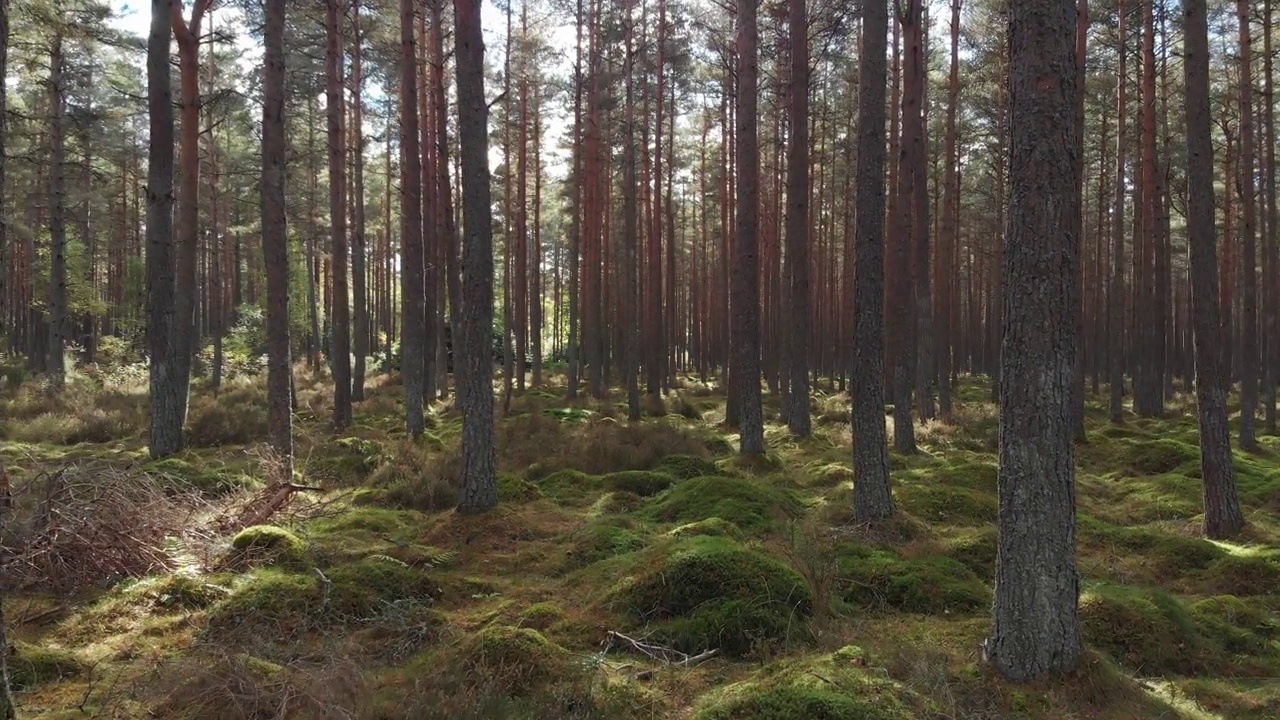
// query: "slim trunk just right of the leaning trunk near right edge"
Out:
[1249,266]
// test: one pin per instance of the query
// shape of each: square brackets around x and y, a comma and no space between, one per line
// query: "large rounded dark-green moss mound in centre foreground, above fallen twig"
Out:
[707,593]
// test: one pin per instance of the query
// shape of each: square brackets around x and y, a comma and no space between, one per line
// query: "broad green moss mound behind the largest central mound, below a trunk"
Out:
[749,504]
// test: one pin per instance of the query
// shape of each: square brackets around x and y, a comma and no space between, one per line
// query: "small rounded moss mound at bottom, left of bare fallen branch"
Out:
[516,659]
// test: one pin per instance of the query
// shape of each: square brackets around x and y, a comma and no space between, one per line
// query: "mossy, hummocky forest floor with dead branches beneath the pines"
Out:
[619,553]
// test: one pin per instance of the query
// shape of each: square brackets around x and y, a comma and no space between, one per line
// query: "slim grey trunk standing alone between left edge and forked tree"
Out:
[57,217]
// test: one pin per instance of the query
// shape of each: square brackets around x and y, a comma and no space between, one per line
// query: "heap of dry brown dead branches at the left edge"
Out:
[89,523]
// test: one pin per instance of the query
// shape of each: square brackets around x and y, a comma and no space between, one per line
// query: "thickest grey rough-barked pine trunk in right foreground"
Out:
[1037,587]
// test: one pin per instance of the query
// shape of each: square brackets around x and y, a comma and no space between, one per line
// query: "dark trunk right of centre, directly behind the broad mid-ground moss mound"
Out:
[747,271]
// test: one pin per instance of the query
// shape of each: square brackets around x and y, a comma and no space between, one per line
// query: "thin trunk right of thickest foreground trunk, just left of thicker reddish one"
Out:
[1118,229]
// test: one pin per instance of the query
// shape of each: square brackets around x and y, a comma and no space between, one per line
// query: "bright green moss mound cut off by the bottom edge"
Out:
[825,689]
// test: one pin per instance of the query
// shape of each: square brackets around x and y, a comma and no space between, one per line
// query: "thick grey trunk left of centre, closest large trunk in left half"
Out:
[476,372]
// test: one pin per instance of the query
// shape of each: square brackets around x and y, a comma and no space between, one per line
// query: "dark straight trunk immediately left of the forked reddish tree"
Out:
[167,404]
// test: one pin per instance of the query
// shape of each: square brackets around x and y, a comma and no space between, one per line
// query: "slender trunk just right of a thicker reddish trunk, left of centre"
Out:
[359,250]
